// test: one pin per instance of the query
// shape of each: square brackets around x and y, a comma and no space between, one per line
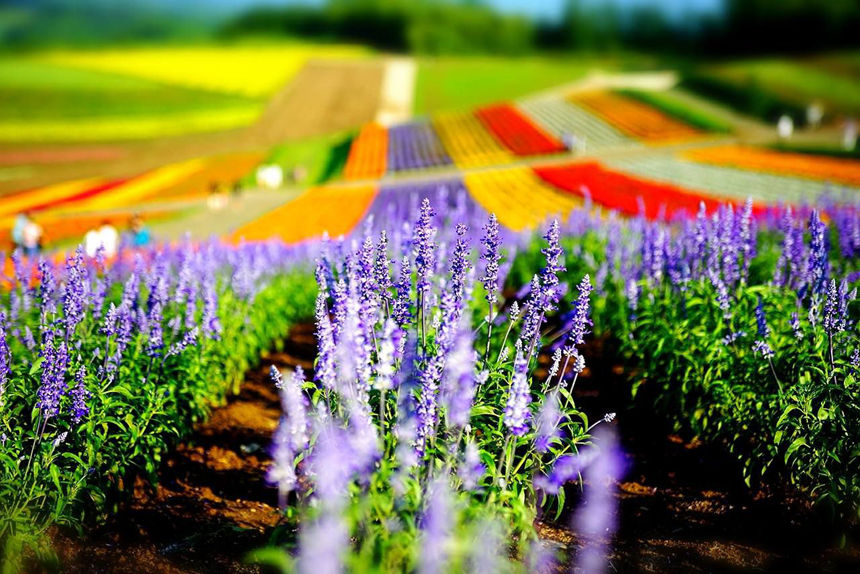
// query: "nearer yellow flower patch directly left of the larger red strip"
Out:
[518,197]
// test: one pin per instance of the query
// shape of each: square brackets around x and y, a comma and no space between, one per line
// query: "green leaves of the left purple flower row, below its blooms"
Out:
[56,471]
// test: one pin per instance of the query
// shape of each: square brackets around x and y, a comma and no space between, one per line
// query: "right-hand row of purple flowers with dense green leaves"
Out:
[742,331]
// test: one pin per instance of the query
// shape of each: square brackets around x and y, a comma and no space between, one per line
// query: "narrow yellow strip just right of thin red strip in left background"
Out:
[141,187]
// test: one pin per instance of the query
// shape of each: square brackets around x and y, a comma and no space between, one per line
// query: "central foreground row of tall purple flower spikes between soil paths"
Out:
[424,402]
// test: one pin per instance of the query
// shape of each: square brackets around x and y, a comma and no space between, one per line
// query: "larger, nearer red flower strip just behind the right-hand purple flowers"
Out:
[625,193]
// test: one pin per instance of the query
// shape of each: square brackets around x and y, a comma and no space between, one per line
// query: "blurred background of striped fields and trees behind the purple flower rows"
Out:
[107,109]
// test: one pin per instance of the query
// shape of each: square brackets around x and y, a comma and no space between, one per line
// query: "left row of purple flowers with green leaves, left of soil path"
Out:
[103,365]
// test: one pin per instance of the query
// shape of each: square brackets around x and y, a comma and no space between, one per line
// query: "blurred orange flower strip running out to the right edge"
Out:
[845,171]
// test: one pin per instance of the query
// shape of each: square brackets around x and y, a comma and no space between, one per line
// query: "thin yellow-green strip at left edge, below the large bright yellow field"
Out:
[127,128]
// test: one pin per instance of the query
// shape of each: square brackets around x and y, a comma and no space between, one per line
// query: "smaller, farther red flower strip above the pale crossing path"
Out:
[516,132]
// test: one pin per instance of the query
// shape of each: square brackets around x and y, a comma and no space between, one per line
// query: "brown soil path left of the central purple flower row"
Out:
[212,505]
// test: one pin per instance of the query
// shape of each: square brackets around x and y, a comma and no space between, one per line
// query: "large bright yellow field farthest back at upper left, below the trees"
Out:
[250,70]
